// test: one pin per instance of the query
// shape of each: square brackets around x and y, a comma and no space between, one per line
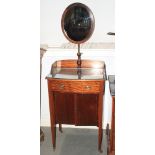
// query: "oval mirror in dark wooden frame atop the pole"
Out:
[77,23]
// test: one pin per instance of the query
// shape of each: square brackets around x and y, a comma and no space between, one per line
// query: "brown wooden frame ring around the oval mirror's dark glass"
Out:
[92,23]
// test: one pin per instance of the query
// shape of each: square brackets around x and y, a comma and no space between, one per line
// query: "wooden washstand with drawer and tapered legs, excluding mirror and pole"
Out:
[75,99]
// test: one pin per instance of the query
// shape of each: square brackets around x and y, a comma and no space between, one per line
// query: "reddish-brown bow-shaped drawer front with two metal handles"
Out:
[80,86]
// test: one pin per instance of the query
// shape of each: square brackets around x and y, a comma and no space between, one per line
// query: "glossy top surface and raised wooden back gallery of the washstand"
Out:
[67,69]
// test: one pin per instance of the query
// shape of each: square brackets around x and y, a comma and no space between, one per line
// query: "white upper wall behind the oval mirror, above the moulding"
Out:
[50,20]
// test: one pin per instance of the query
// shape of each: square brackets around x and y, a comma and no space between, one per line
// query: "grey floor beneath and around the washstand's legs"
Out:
[73,142]
